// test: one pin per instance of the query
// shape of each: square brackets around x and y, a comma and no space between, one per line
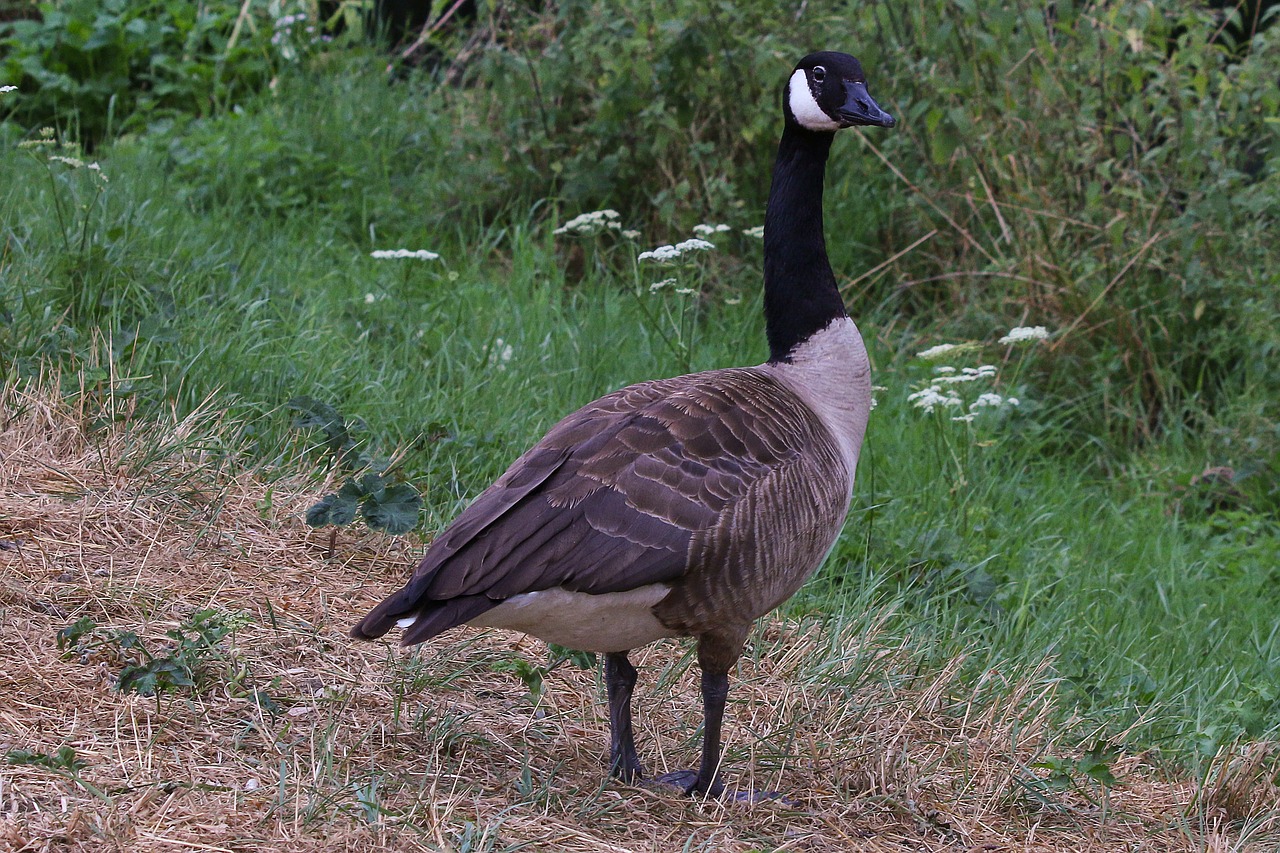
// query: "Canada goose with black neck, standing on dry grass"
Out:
[688,507]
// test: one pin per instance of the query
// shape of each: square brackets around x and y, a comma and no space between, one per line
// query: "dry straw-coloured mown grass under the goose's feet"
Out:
[371,749]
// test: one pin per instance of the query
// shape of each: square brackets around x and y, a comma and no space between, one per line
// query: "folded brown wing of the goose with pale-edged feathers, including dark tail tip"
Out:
[619,495]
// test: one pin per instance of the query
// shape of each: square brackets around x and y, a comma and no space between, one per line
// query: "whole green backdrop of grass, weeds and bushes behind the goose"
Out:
[196,226]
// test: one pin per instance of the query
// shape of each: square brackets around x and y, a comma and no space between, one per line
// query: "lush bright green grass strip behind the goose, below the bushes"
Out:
[231,257]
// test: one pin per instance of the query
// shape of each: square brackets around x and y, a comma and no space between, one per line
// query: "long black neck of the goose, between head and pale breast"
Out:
[801,294]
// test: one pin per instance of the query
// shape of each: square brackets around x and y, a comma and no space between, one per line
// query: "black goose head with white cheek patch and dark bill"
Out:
[828,92]
